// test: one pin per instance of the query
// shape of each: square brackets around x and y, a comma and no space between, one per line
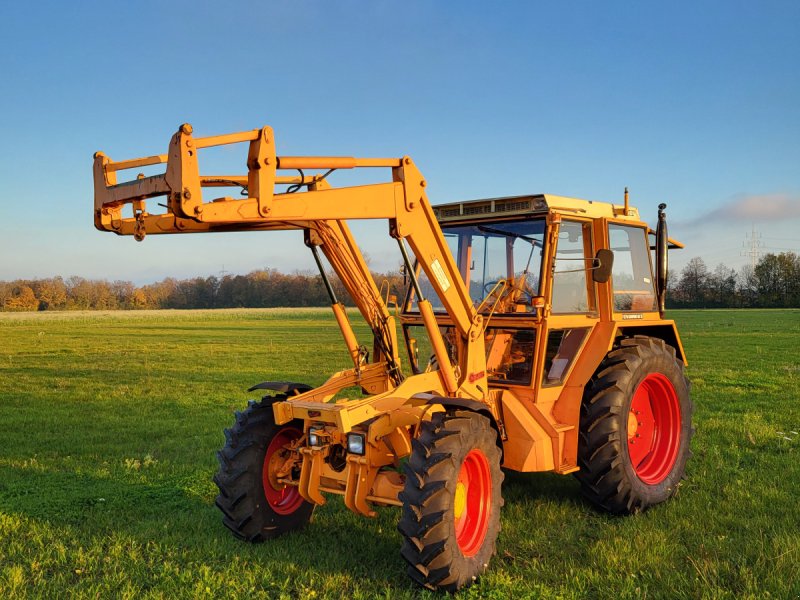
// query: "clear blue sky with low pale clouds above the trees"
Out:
[695,104]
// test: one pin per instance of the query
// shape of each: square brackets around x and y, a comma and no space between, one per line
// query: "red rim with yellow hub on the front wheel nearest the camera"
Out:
[472,502]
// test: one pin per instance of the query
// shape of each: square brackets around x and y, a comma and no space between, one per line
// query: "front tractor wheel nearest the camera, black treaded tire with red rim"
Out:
[451,501]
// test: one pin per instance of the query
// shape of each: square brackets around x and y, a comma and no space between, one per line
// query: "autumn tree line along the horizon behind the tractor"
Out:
[774,282]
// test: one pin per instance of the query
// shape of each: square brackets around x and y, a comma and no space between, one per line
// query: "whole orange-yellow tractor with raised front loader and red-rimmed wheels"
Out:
[531,338]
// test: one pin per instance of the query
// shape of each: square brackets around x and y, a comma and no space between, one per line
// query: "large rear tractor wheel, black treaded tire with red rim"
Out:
[635,427]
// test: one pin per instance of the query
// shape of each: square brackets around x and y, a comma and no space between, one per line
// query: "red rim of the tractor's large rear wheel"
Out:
[654,428]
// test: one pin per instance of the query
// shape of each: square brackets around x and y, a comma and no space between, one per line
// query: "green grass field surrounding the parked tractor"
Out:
[109,424]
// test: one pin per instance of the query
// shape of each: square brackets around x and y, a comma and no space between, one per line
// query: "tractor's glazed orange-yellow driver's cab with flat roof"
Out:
[543,271]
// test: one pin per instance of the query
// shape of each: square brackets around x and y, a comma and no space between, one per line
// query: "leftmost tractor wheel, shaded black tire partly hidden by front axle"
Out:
[253,508]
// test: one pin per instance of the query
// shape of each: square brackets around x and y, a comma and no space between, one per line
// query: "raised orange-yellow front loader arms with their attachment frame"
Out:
[309,203]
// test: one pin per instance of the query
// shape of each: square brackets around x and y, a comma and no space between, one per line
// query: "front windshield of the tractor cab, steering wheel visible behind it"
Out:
[499,262]
